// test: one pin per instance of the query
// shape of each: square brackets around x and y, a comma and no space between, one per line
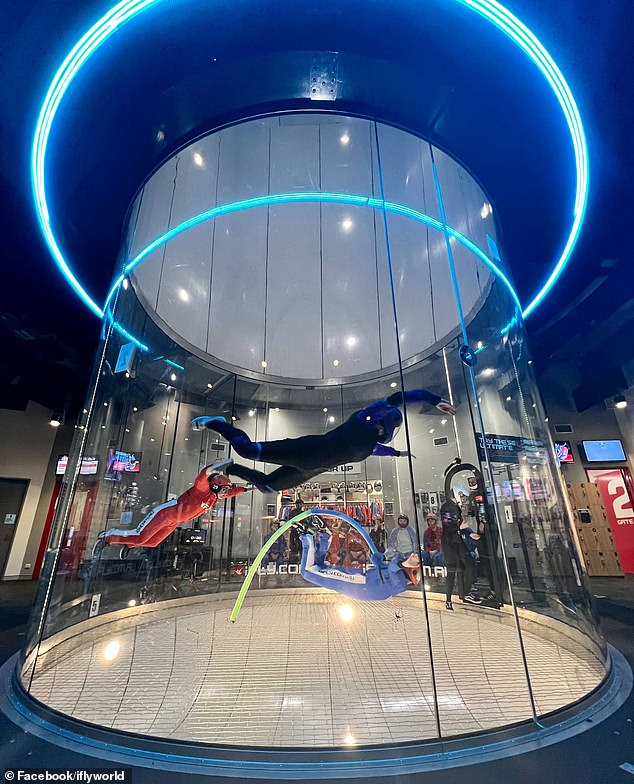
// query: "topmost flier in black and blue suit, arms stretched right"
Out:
[366,432]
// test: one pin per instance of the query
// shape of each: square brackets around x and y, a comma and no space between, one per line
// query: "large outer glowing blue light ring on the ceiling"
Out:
[126,10]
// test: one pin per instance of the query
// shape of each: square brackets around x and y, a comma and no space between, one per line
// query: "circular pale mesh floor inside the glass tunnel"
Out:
[292,672]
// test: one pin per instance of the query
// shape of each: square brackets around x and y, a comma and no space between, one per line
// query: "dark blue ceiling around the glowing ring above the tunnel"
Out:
[49,338]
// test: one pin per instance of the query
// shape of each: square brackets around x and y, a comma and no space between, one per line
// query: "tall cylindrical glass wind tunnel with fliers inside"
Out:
[283,273]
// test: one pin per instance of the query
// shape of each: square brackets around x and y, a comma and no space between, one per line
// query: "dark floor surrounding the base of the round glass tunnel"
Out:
[594,757]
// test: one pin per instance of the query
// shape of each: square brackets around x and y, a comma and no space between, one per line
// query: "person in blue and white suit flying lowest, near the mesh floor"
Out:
[379,581]
